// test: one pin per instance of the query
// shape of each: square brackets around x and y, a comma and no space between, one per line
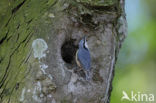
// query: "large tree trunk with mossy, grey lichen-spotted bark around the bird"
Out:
[38,42]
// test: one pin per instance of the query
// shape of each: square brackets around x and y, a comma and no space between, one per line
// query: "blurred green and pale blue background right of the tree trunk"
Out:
[136,65]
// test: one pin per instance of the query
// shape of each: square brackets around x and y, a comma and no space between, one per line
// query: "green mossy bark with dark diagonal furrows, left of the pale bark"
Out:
[18,19]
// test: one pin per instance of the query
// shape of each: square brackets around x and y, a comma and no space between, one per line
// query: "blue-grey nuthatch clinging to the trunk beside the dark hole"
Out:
[83,58]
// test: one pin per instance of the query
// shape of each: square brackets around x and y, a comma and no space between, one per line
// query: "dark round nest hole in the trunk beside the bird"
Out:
[68,51]
